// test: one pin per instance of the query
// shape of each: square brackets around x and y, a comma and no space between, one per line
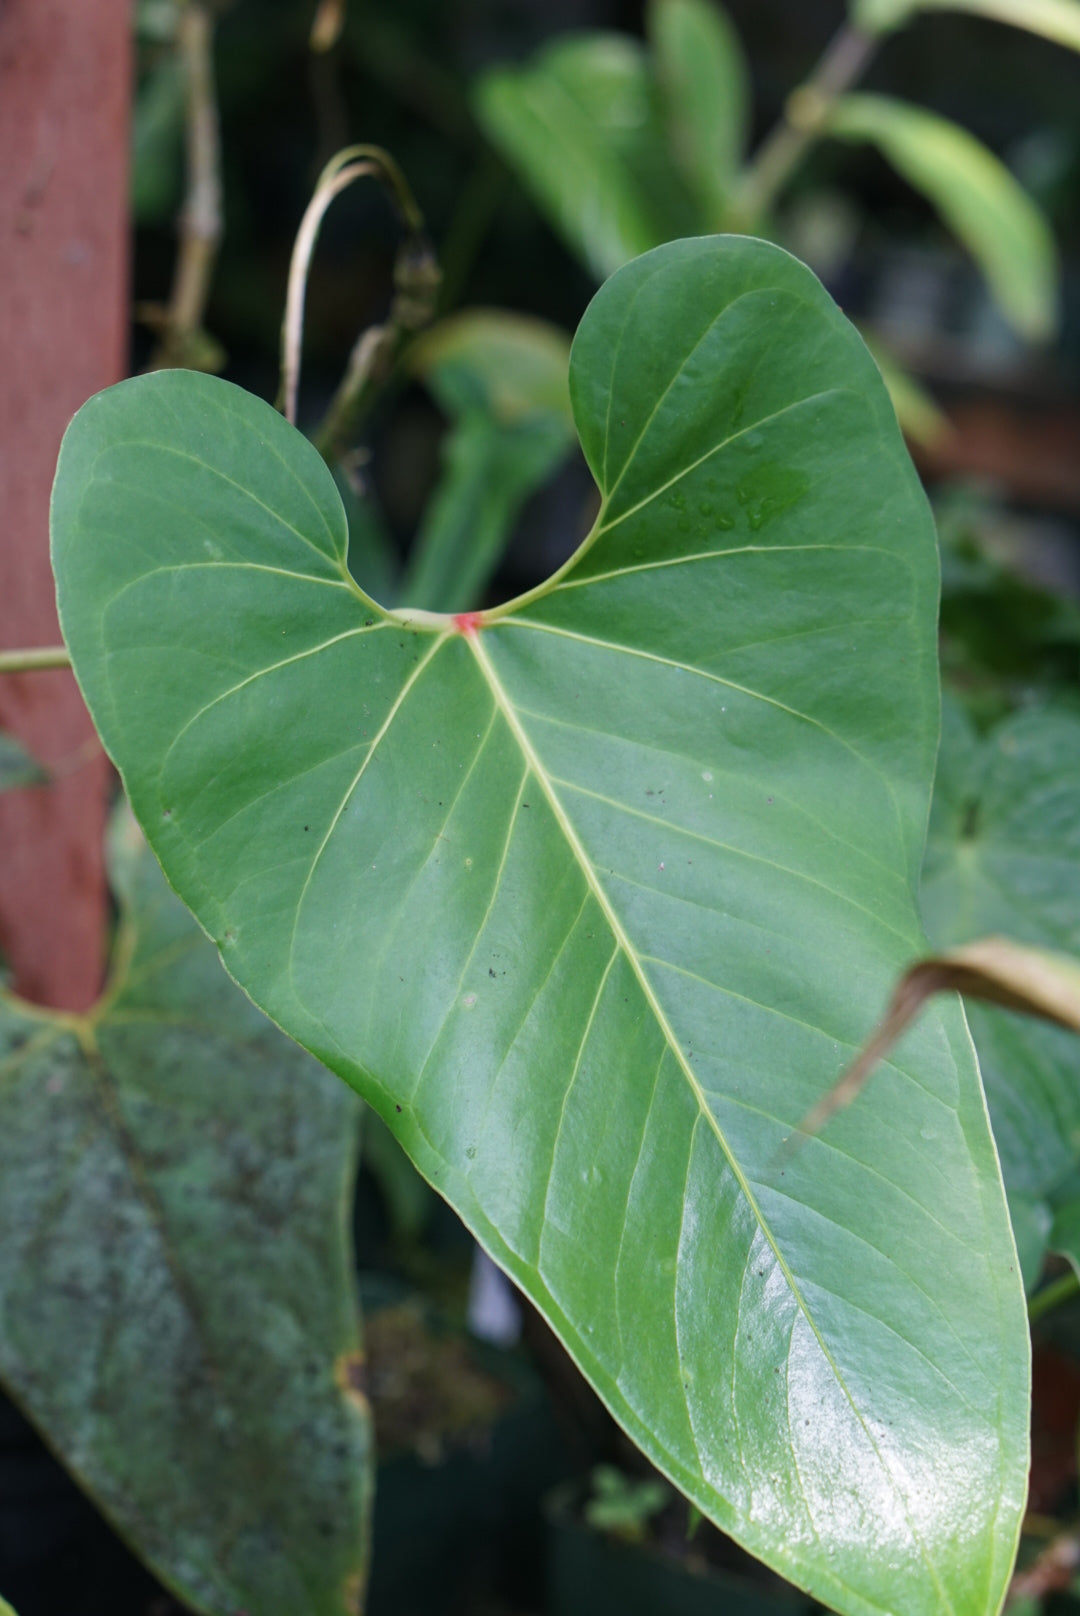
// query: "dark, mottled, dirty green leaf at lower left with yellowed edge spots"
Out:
[177,1305]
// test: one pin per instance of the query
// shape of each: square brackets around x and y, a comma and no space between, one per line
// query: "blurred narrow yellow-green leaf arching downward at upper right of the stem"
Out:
[977,198]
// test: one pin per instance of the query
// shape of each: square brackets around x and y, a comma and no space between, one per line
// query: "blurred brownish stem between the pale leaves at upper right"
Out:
[806,117]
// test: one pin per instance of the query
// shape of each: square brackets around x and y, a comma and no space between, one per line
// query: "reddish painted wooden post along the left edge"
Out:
[65,91]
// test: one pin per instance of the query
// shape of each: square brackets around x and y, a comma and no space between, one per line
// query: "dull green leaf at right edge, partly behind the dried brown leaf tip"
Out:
[1005,857]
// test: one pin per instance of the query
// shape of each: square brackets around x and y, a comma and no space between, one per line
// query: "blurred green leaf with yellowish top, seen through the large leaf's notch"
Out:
[504,384]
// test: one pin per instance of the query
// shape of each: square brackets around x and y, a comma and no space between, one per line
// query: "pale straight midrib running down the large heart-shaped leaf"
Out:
[547,786]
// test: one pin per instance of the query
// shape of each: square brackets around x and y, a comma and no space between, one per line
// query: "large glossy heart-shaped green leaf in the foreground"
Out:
[593,896]
